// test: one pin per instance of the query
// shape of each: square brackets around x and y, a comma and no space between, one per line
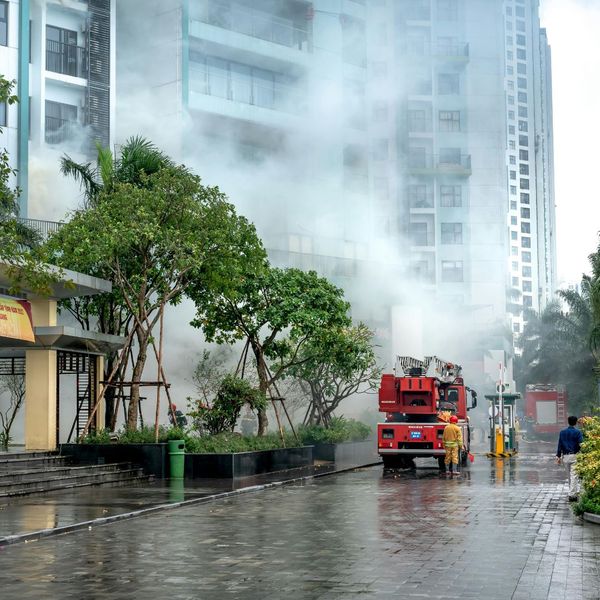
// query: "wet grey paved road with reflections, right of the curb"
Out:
[504,529]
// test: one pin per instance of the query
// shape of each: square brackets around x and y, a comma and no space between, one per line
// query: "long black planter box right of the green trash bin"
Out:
[244,464]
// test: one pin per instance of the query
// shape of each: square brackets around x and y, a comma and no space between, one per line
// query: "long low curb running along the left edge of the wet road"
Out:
[55,531]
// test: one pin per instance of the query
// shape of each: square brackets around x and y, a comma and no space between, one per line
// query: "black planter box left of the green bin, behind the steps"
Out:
[153,458]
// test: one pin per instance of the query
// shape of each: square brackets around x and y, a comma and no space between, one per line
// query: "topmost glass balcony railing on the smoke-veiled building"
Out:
[241,19]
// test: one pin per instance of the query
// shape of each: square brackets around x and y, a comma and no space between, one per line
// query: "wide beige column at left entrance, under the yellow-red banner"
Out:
[40,400]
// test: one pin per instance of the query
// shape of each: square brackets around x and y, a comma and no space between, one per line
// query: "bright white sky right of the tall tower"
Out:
[573,27]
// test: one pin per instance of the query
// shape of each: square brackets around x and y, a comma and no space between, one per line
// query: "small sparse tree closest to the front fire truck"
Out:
[336,366]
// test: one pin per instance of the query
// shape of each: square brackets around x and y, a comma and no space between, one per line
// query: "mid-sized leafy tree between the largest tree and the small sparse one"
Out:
[277,312]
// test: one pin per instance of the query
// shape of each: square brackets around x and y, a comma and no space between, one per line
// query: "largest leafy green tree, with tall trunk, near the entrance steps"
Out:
[152,238]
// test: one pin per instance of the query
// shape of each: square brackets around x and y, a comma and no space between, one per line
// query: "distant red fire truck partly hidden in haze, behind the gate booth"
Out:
[545,409]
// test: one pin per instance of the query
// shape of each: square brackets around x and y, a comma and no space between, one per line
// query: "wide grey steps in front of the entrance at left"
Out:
[37,472]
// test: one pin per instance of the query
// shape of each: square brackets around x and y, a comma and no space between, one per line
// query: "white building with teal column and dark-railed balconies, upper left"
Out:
[61,55]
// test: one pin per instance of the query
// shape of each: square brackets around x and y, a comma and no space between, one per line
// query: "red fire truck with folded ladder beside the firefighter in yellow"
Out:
[418,400]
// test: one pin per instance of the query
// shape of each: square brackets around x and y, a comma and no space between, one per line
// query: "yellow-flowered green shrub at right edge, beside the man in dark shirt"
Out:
[588,465]
